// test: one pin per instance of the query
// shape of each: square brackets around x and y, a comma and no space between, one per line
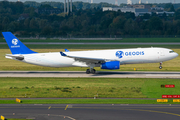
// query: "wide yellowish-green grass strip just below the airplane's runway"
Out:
[87,87]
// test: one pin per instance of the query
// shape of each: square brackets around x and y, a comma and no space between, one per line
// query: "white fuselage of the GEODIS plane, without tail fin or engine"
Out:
[125,56]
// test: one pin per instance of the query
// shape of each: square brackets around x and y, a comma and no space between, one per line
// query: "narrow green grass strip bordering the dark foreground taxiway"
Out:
[88,101]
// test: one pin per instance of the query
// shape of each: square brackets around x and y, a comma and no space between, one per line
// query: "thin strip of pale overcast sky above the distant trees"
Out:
[112,1]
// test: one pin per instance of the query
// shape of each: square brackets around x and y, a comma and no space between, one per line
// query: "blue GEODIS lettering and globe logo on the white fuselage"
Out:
[120,54]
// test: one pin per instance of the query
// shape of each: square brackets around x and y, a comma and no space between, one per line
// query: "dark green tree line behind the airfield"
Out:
[22,19]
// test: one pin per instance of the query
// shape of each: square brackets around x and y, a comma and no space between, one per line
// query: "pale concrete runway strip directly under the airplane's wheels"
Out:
[126,74]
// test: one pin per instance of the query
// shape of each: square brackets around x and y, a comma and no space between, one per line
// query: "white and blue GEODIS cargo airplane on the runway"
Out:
[110,59]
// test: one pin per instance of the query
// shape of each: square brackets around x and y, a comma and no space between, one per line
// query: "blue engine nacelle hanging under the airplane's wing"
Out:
[112,65]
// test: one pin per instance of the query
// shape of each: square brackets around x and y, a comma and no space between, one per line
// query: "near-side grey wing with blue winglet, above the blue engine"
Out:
[85,59]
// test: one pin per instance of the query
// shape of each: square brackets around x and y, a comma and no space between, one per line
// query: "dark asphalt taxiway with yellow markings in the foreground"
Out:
[91,111]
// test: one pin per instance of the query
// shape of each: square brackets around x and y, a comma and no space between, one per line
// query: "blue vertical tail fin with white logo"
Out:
[15,45]
